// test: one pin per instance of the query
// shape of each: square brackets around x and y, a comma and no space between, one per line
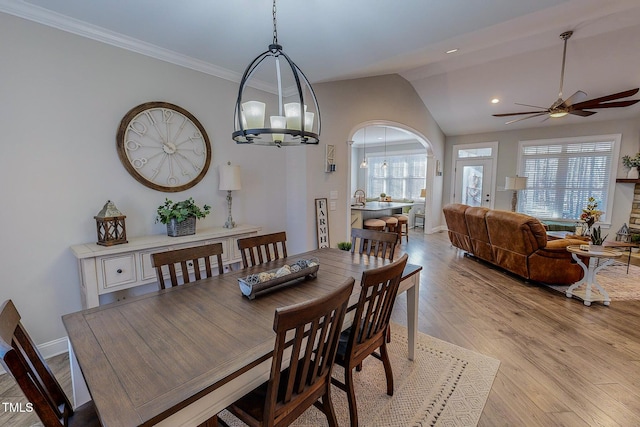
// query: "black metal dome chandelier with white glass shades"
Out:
[292,123]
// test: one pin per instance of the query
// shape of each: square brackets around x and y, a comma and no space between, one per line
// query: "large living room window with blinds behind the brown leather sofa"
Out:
[563,173]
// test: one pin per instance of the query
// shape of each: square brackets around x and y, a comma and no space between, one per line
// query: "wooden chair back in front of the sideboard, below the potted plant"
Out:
[193,258]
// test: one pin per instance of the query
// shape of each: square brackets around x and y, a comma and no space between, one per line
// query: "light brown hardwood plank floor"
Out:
[562,363]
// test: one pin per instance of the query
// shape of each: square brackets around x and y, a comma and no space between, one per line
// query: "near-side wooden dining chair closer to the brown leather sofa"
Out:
[369,329]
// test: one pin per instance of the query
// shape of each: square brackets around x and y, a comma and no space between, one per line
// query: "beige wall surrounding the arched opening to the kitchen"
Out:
[344,105]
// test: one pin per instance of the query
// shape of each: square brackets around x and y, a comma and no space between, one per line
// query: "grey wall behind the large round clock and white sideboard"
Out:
[63,97]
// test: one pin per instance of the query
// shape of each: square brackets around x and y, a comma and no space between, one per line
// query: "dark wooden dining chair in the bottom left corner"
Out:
[21,358]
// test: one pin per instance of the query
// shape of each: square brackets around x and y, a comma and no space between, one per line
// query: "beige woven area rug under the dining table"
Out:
[445,385]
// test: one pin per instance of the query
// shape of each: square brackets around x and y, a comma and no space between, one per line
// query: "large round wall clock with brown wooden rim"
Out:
[163,146]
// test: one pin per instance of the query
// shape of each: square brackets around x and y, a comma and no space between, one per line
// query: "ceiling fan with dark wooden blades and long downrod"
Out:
[575,104]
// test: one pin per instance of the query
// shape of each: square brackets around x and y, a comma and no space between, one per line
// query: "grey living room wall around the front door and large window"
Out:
[508,155]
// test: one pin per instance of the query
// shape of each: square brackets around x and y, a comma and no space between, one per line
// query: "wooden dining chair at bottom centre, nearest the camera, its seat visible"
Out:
[311,331]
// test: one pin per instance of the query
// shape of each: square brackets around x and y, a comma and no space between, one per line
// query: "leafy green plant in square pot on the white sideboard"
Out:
[180,217]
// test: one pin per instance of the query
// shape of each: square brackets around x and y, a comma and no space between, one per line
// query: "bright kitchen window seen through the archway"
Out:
[404,177]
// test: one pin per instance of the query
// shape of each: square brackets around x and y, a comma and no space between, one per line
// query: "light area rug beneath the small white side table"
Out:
[620,285]
